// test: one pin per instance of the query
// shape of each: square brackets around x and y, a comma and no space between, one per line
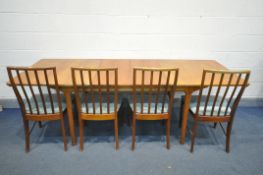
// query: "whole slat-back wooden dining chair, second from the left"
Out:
[96,93]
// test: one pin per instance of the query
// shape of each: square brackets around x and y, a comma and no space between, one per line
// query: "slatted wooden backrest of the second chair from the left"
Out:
[96,90]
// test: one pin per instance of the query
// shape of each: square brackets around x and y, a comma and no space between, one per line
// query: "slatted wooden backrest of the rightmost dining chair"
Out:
[221,92]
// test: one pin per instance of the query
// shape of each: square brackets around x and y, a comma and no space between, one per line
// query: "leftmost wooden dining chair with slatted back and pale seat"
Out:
[38,96]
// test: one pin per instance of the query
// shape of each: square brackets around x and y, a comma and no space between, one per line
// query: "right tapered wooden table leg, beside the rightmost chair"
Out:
[187,99]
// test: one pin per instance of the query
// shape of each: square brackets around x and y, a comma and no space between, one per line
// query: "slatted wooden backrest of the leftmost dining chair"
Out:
[36,89]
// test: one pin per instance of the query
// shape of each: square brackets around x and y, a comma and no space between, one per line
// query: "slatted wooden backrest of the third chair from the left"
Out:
[151,87]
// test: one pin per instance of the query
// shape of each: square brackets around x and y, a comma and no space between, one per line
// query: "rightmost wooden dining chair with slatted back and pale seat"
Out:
[218,99]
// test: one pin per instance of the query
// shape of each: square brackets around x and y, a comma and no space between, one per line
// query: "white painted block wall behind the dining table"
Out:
[230,31]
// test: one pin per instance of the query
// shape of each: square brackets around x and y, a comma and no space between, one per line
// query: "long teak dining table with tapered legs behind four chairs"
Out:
[189,80]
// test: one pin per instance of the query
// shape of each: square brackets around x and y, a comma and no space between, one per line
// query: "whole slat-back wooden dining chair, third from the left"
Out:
[153,92]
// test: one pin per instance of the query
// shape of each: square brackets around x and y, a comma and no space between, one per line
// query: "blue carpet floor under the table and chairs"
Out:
[150,156]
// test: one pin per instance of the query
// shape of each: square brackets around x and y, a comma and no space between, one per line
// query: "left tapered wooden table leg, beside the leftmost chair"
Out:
[67,94]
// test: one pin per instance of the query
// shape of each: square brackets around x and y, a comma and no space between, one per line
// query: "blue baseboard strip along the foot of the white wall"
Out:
[245,102]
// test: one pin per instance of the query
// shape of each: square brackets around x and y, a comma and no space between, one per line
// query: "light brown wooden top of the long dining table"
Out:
[190,71]
